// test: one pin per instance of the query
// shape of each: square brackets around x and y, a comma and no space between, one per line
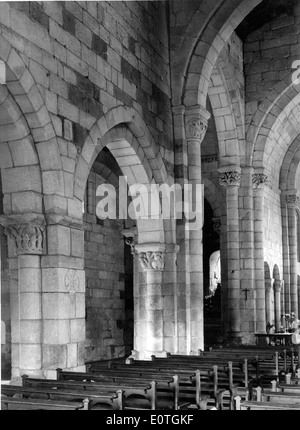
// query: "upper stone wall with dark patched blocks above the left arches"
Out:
[88,57]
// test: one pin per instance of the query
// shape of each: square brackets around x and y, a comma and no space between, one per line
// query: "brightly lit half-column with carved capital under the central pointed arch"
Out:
[149,323]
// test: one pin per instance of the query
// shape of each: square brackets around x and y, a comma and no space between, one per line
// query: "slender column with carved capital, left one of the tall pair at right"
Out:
[230,178]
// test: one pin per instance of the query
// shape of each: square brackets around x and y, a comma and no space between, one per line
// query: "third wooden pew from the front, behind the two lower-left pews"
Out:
[131,389]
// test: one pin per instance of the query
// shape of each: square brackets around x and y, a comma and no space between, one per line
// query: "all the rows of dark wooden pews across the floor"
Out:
[215,379]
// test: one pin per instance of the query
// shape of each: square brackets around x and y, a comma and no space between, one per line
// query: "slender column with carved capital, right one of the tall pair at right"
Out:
[259,181]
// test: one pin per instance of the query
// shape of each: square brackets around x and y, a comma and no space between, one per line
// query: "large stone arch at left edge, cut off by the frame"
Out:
[37,140]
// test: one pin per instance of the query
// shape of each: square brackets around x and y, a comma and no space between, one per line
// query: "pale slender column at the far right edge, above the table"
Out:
[293,202]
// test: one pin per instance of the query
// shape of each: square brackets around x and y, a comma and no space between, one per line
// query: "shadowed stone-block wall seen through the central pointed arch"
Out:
[105,282]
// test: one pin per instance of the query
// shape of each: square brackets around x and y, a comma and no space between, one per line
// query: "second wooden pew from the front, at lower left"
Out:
[110,400]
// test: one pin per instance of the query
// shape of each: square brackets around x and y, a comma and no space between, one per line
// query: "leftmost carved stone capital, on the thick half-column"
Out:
[27,239]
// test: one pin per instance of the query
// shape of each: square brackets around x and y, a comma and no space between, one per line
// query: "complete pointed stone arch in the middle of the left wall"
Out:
[126,135]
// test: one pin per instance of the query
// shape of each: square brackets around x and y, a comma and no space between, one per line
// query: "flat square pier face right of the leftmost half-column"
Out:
[63,301]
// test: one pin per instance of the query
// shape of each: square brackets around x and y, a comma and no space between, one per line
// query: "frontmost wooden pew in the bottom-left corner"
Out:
[14,403]
